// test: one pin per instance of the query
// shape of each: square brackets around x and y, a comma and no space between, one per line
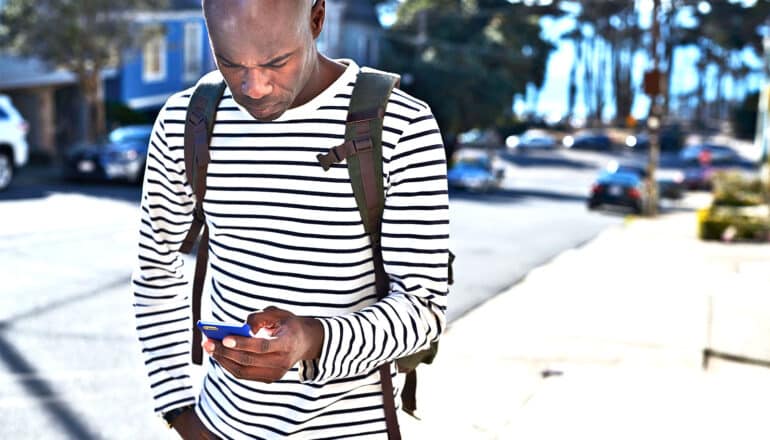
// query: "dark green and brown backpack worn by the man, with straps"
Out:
[362,149]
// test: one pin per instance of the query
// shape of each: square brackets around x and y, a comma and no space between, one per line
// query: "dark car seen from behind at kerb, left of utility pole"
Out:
[621,188]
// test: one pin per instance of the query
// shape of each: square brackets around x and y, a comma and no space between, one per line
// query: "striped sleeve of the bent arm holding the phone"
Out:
[415,235]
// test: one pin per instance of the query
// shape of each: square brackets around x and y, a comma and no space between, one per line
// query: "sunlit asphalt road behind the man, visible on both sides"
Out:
[68,358]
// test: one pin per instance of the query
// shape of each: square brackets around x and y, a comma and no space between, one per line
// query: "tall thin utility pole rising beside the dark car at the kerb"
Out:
[652,86]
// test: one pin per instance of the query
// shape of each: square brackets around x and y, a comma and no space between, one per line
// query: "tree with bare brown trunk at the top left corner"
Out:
[83,36]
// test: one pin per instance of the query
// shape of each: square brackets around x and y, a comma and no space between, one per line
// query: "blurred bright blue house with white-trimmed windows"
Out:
[174,57]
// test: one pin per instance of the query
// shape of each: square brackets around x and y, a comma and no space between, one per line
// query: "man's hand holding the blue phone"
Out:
[282,340]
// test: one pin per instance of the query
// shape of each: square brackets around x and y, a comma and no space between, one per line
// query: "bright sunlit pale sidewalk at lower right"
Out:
[605,342]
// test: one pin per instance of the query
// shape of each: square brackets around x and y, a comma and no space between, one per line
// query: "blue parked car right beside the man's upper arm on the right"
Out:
[475,170]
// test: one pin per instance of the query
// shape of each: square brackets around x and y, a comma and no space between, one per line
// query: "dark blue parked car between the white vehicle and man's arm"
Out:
[122,156]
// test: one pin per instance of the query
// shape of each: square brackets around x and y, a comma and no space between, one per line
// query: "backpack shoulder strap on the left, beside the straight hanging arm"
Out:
[199,124]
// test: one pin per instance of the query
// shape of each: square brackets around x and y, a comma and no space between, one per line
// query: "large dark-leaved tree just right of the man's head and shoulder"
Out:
[469,58]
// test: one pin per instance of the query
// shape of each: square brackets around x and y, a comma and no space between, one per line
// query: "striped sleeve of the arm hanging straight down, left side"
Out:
[160,290]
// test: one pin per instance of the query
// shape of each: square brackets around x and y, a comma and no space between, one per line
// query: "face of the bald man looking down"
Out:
[265,50]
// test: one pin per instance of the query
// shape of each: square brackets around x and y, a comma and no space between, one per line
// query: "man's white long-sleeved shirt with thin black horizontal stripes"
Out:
[286,233]
